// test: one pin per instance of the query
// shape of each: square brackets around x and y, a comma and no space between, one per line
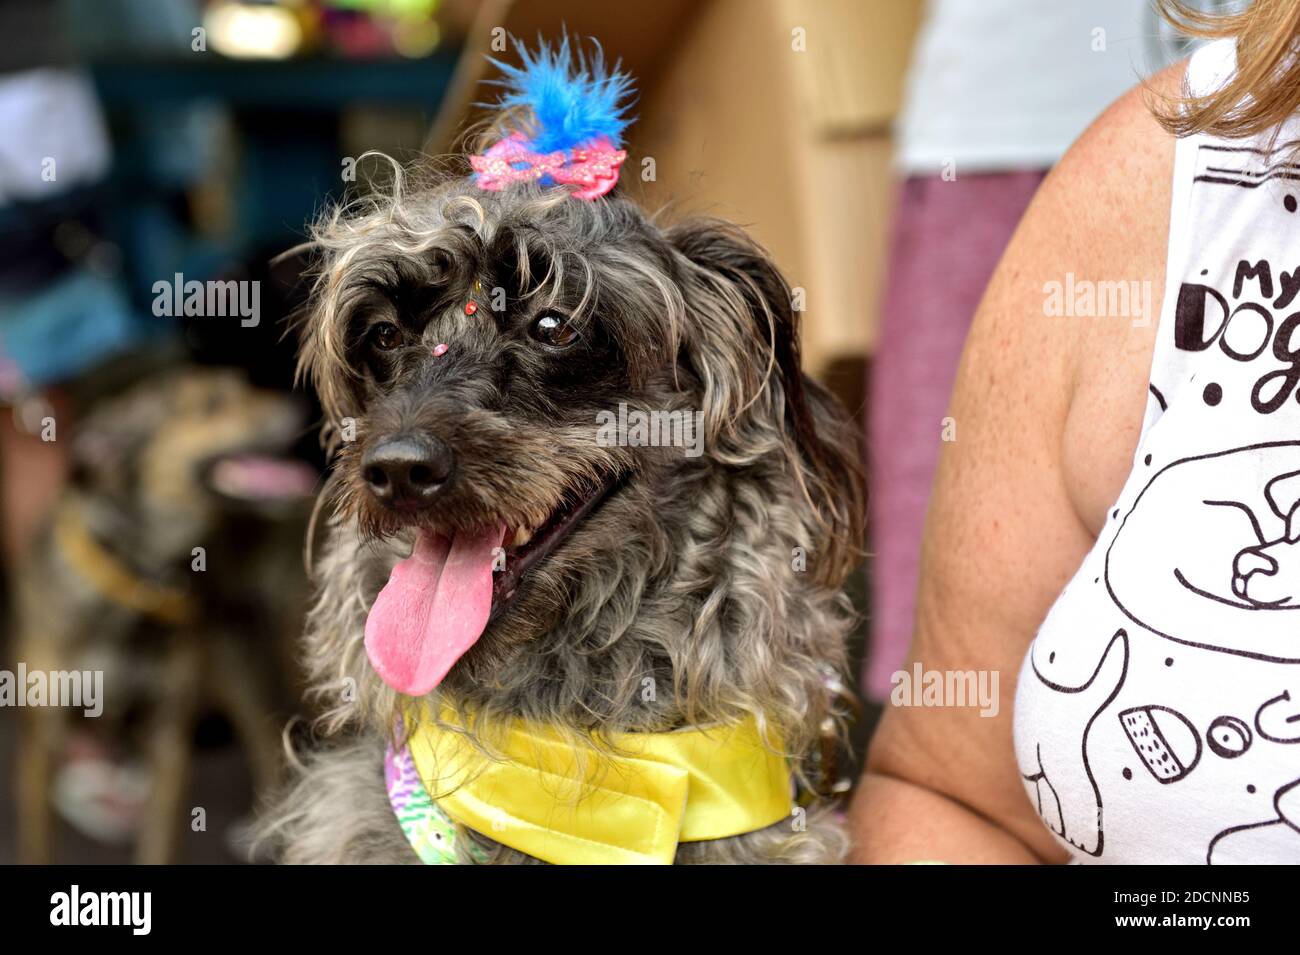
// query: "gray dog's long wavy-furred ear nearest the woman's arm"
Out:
[742,341]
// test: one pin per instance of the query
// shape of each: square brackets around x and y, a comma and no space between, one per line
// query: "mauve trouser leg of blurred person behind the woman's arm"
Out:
[948,237]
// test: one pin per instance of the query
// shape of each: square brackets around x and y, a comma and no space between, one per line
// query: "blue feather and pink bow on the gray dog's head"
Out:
[578,112]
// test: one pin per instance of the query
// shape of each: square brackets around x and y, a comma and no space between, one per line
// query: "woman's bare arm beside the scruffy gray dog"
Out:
[1047,416]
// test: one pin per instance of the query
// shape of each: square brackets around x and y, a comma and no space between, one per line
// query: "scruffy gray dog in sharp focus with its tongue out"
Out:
[465,345]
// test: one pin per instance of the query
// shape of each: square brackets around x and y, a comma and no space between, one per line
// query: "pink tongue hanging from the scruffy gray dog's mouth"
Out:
[434,609]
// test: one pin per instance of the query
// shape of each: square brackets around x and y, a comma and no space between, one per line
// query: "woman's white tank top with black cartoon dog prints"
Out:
[1158,714]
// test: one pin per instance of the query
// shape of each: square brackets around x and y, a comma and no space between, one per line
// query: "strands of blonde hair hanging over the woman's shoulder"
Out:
[1264,92]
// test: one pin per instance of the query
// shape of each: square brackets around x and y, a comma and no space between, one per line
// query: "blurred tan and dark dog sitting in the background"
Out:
[171,565]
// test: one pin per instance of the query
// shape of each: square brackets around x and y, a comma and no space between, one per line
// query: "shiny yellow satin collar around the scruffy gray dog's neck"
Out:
[632,808]
